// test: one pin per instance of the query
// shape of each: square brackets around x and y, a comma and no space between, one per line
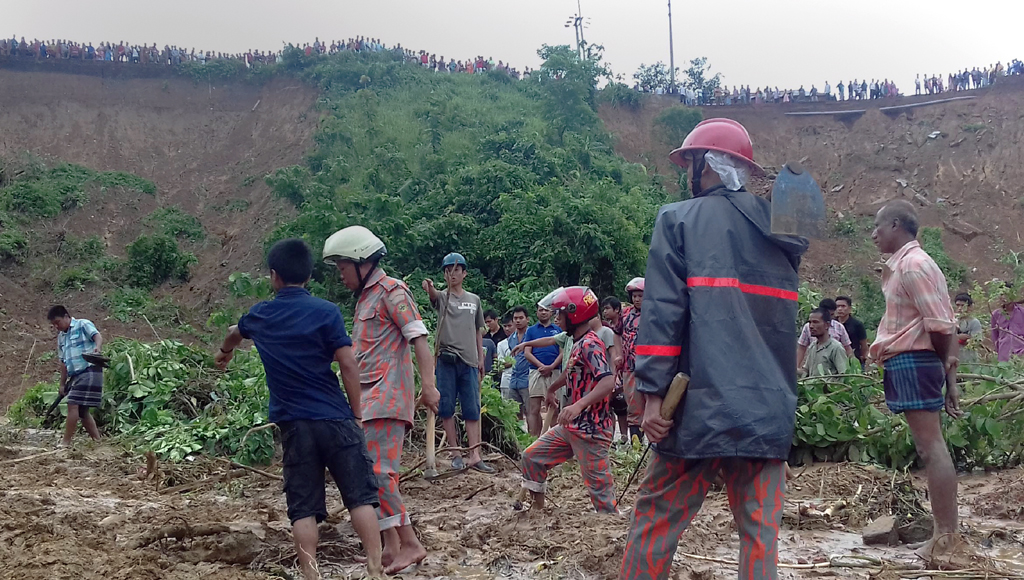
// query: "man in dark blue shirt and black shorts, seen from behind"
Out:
[298,337]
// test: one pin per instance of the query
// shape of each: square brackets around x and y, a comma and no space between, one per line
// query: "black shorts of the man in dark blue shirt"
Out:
[339,446]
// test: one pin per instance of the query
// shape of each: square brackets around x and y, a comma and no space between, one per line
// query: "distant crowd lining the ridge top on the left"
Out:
[173,55]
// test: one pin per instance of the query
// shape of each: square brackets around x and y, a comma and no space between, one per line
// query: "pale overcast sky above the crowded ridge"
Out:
[756,43]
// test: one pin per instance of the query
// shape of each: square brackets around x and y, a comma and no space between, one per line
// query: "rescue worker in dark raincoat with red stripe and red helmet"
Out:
[722,308]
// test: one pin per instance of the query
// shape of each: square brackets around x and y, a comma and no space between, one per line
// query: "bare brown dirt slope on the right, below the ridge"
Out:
[975,167]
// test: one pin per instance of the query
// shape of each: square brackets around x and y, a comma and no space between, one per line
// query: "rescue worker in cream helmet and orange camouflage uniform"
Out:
[387,323]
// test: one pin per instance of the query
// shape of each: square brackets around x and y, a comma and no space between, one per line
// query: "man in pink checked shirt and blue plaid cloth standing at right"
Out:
[916,346]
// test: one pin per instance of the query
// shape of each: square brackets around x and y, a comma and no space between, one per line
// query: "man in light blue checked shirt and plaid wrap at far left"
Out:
[82,383]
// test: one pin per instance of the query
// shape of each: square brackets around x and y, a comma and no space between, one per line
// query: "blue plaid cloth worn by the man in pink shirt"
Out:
[914,382]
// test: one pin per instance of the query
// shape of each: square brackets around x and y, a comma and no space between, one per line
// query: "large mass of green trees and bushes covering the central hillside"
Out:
[519,177]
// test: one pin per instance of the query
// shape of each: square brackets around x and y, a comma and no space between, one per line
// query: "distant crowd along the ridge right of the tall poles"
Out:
[852,91]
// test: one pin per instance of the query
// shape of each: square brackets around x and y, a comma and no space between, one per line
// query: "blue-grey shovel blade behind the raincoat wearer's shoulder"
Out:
[798,208]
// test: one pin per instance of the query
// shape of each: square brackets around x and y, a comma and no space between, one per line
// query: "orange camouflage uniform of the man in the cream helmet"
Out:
[387,320]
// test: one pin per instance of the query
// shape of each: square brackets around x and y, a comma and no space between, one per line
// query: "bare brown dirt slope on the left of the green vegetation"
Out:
[203,145]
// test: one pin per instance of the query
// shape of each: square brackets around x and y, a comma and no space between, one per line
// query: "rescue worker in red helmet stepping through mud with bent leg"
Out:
[585,427]
